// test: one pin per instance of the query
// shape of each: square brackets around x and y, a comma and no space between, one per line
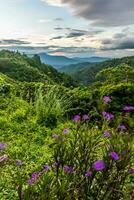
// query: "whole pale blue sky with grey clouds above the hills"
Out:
[71,28]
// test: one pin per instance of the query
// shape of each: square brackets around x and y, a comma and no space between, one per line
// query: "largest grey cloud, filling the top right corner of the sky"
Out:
[101,12]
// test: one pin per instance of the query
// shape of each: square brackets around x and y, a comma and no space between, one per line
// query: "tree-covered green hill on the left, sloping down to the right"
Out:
[22,68]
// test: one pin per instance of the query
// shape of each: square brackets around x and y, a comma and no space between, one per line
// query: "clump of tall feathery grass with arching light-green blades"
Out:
[51,106]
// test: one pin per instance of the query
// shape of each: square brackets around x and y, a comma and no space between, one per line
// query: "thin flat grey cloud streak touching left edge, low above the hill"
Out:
[13,42]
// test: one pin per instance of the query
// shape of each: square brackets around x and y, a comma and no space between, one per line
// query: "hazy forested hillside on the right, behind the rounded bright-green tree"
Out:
[85,73]
